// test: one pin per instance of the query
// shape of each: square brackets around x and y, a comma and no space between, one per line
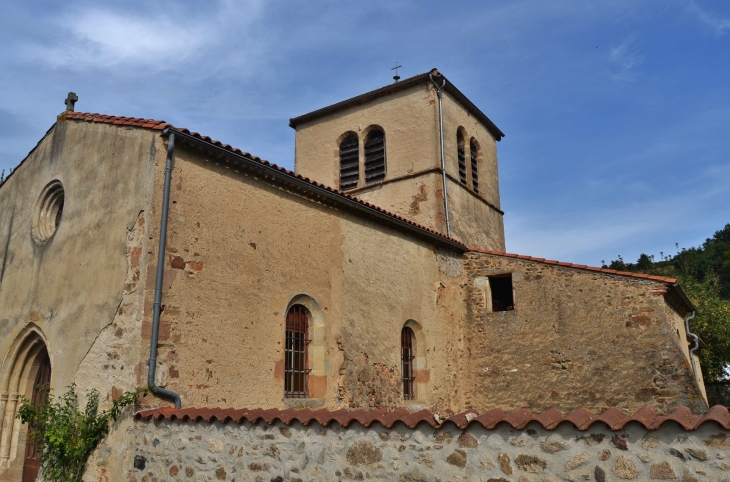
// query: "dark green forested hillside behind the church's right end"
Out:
[704,274]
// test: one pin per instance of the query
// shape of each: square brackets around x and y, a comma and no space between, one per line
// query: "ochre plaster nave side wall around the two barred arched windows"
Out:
[241,251]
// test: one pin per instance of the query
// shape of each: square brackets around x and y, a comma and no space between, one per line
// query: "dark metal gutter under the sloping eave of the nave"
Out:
[316,189]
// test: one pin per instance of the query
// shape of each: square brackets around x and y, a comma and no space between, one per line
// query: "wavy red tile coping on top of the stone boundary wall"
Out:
[582,419]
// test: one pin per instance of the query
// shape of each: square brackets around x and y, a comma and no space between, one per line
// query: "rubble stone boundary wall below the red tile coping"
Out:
[261,452]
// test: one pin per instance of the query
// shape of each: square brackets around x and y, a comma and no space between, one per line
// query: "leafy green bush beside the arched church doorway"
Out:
[67,435]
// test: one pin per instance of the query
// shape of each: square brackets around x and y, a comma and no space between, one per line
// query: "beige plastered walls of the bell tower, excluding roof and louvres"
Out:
[413,183]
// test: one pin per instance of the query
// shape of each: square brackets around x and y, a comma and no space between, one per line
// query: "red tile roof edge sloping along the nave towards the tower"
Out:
[161,125]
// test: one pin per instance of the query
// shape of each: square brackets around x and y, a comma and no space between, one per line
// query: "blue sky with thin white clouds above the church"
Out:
[616,113]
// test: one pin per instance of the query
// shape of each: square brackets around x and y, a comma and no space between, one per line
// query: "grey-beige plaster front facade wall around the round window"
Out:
[76,292]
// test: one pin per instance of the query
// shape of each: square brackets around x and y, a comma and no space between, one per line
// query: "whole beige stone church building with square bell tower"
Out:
[373,277]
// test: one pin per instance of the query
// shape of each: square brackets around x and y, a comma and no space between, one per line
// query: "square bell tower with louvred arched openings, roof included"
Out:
[384,147]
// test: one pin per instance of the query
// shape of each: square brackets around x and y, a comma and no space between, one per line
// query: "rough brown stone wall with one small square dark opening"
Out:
[576,338]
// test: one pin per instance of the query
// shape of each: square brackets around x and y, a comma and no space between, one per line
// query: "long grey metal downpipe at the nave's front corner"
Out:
[156,307]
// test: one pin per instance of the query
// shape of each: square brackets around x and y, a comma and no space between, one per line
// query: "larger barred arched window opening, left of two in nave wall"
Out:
[297,339]
